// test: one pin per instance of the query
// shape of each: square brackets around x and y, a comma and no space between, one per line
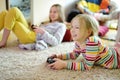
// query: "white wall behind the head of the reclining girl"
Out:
[40,8]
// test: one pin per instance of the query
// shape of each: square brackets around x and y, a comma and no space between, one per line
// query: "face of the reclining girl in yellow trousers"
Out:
[54,15]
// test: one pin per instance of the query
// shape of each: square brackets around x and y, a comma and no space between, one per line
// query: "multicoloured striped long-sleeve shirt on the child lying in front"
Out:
[94,53]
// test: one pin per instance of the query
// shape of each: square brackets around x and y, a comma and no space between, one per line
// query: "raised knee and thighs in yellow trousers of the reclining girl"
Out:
[20,26]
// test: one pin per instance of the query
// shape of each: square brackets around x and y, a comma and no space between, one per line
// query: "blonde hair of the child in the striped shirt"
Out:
[89,22]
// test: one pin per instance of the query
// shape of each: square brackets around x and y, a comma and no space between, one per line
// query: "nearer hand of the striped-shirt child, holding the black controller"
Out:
[58,64]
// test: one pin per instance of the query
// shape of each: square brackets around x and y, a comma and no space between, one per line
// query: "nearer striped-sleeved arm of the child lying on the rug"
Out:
[89,57]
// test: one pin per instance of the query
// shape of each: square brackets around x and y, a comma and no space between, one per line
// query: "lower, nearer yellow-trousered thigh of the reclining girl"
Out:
[24,34]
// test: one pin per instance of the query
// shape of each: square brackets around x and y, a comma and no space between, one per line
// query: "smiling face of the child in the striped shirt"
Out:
[78,31]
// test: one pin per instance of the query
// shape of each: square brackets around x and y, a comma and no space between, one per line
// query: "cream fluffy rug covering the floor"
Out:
[17,64]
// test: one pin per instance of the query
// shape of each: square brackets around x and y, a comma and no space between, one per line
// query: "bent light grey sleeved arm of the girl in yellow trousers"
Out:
[56,38]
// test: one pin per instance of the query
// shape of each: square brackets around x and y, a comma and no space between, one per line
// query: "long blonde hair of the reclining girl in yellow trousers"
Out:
[60,12]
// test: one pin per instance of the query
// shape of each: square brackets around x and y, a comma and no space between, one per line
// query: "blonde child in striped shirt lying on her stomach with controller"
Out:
[88,47]
